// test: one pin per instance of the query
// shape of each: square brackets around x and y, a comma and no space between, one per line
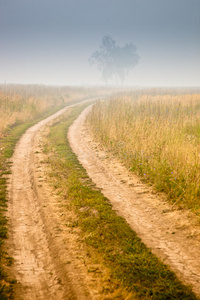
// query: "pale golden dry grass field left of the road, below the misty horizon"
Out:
[20,103]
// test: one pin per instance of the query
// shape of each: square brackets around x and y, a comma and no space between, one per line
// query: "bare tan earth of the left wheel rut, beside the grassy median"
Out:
[49,262]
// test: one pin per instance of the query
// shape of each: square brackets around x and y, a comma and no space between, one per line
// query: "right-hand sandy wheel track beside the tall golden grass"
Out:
[173,235]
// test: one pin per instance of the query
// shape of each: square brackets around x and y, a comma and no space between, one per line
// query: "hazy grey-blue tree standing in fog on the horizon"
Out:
[114,61]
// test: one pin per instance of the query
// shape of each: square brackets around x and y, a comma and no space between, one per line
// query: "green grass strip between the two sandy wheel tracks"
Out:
[106,236]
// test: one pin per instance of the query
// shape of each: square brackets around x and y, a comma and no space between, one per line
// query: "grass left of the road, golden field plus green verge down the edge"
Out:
[20,107]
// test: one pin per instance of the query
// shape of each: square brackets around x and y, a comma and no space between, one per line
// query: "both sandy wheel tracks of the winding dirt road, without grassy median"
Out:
[38,233]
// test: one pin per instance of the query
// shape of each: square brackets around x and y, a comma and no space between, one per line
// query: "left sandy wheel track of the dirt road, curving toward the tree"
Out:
[39,271]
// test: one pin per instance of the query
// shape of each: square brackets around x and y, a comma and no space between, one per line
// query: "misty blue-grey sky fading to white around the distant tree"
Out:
[50,41]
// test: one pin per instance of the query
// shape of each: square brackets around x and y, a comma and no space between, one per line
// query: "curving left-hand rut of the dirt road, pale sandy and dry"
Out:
[30,245]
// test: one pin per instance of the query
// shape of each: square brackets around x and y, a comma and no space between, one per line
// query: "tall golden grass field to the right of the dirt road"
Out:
[157,136]
